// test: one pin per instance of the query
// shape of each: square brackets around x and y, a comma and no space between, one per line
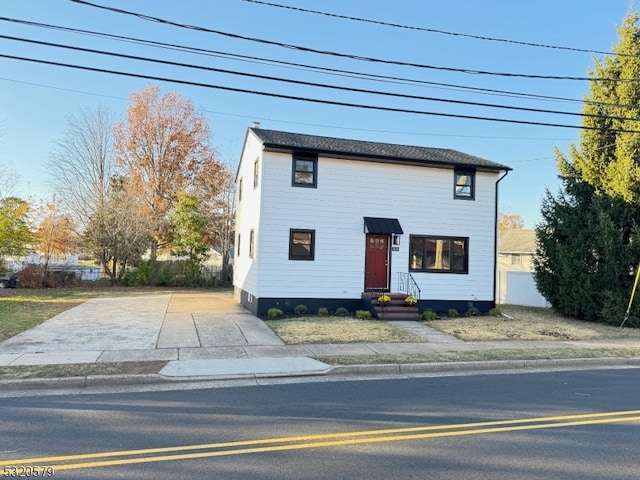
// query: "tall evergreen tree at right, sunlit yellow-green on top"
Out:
[589,238]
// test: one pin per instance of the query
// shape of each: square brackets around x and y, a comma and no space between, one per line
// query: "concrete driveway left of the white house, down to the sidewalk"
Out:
[146,322]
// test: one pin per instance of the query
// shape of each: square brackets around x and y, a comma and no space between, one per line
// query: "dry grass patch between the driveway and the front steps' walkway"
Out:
[338,330]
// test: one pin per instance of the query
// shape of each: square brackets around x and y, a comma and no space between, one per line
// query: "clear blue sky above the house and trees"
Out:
[36,98]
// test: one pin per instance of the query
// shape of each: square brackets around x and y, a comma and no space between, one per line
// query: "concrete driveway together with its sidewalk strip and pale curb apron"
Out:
[198,334]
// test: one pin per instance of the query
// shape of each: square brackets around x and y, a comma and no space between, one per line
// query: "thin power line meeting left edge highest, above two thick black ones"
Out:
[332,71]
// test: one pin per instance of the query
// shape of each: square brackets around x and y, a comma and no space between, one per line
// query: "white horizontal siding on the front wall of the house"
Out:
[420,198]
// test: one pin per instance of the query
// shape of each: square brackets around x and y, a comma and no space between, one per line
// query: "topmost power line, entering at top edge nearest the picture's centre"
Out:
[433,30]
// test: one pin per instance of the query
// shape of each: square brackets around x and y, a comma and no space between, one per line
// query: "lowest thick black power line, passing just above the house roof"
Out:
[309,99]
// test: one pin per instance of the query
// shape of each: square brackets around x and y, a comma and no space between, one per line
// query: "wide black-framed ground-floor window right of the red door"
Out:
[438,254]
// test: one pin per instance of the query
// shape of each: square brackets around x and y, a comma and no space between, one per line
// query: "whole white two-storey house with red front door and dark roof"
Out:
[320,221]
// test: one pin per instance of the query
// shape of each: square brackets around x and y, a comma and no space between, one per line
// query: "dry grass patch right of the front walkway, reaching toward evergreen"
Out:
[528,323]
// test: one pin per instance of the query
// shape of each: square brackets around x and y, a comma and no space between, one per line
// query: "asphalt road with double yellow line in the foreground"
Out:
[562,425]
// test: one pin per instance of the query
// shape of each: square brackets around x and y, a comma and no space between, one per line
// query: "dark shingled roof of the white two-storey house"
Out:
[274,140]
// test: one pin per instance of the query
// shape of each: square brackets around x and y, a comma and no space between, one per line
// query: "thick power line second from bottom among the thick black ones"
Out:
[305,83]
